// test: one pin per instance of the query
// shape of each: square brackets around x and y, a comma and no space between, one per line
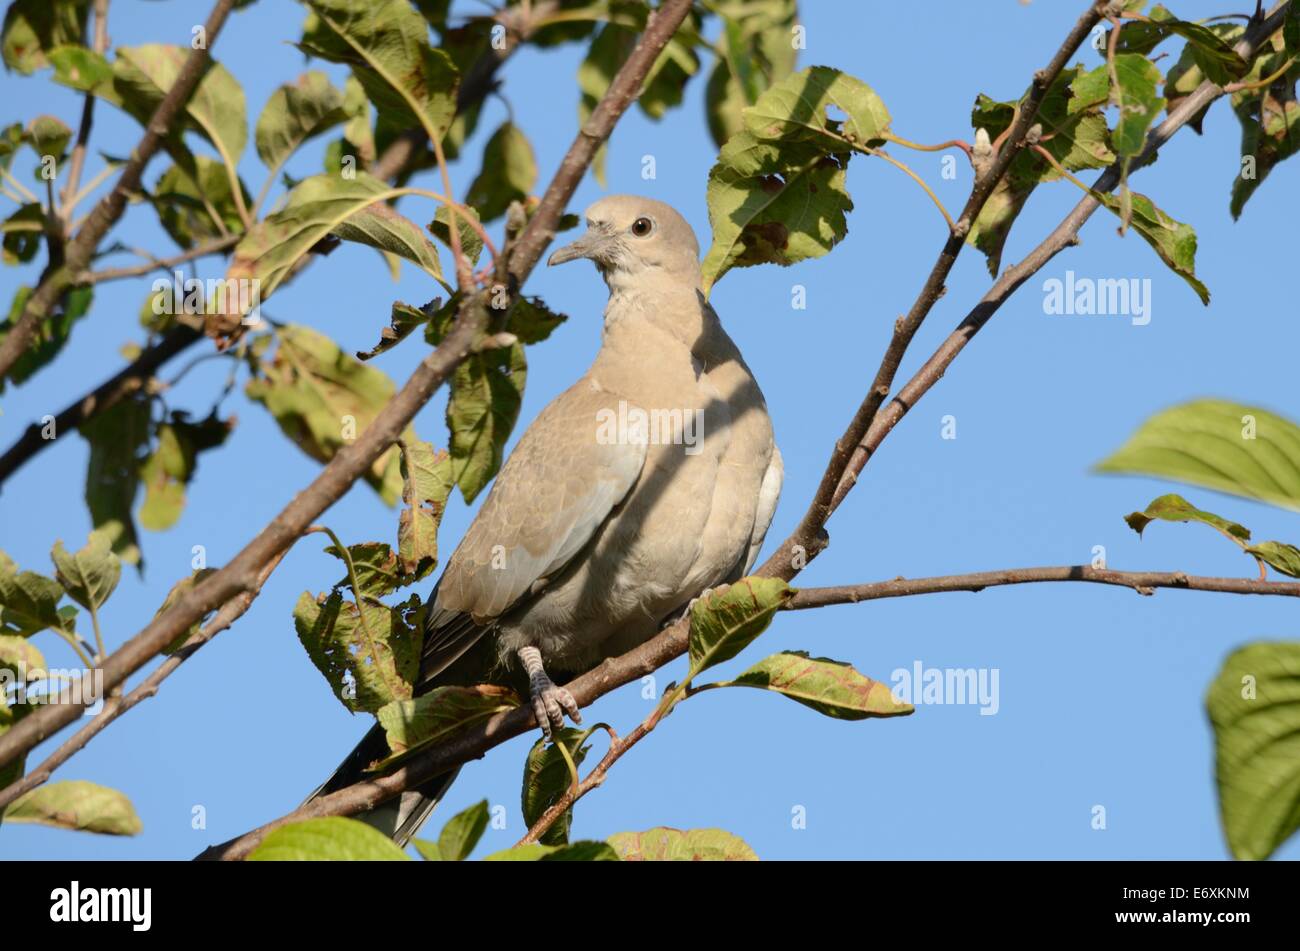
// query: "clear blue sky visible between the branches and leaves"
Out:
[1100,691]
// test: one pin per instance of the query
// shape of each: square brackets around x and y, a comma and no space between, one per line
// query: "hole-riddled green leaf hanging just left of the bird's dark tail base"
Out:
[370,657]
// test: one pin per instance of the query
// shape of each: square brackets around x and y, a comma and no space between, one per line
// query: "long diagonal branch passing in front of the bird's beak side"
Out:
[240,576]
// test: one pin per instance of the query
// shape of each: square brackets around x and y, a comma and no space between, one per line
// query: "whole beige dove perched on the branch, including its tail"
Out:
[642,488]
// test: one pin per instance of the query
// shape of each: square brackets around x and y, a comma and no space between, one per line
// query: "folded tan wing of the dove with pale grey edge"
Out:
[554,493]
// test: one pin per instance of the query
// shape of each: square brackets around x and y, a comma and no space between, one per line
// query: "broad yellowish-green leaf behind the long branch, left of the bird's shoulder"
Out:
[323,399]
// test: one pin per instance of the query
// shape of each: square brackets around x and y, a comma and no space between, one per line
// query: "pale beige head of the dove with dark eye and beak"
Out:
[632,238]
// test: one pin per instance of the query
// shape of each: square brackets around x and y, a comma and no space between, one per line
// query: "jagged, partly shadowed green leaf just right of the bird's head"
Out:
[787,206]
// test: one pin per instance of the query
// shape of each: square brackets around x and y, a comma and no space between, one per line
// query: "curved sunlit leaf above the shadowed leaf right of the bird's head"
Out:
[796,110]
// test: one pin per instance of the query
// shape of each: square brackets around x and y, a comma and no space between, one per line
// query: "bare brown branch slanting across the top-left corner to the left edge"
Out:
[111,207]
